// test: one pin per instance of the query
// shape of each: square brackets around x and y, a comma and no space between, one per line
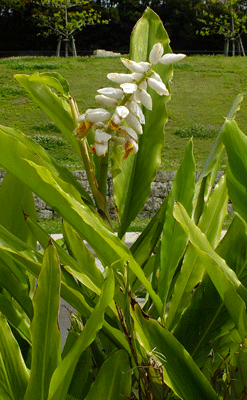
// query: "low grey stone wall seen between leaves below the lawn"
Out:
[160,188]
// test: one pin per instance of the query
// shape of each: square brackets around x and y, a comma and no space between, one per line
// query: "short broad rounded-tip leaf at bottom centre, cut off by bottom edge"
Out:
[113,381]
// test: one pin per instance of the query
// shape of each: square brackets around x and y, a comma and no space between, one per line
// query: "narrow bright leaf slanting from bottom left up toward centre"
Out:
[62,376]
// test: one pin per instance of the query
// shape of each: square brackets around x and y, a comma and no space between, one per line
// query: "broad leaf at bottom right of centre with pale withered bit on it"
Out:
[180,372]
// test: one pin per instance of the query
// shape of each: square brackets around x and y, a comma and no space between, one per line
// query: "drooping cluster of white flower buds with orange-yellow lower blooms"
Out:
[126,99]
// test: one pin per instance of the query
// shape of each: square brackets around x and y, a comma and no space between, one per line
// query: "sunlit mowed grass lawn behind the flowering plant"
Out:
[203,89]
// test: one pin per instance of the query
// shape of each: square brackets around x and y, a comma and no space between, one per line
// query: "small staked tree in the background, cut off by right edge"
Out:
[227,18]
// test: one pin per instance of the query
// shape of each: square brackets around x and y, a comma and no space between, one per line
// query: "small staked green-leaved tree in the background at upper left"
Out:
[63,18]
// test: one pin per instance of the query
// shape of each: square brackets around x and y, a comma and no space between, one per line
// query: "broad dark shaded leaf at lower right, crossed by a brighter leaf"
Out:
[206,318]
